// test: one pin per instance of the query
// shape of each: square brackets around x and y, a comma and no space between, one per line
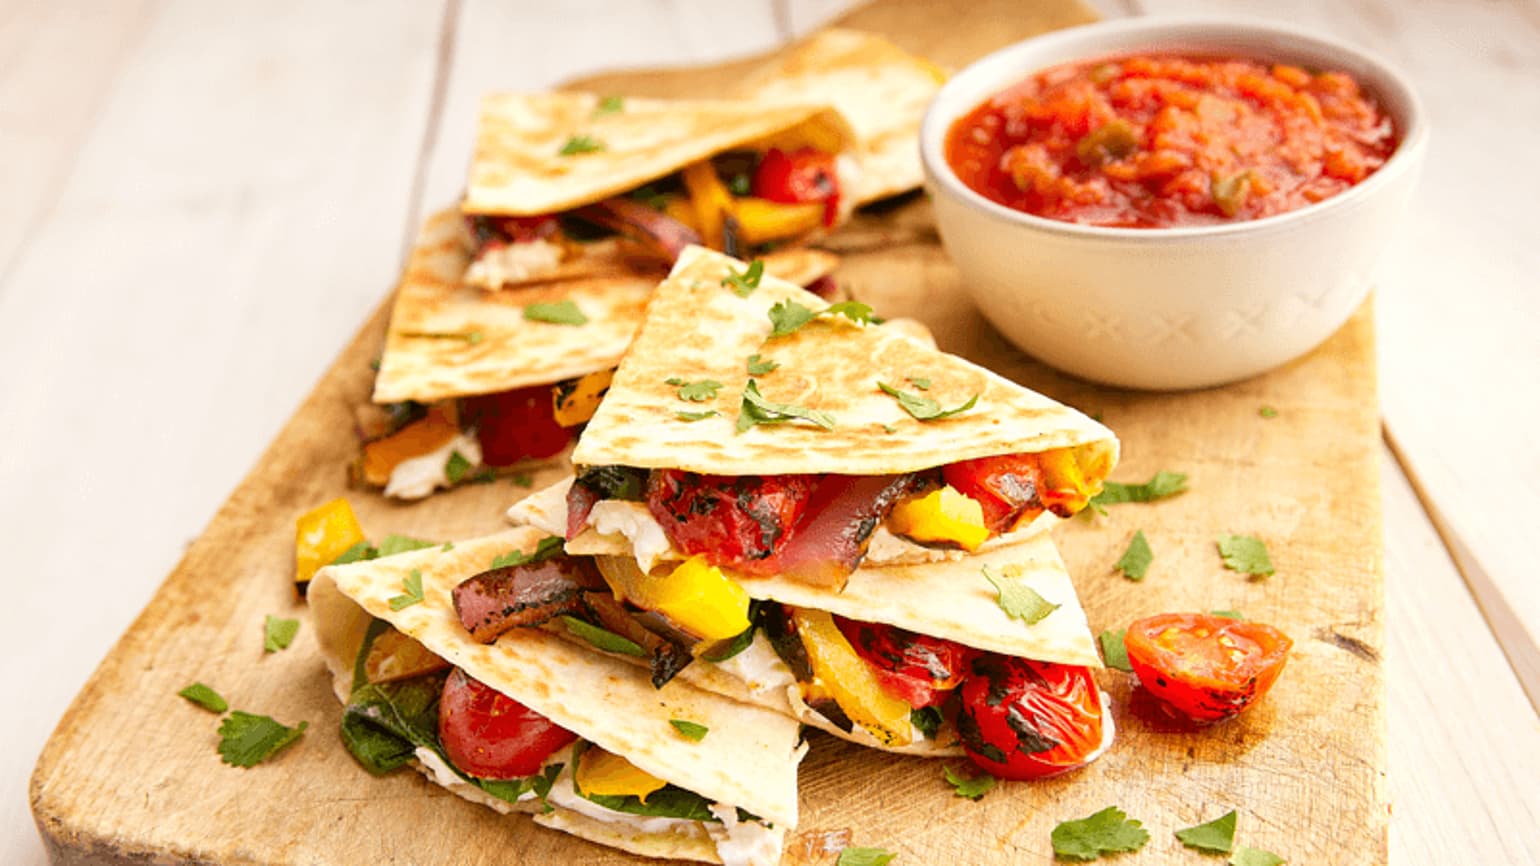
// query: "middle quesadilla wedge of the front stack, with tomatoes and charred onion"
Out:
[905,659]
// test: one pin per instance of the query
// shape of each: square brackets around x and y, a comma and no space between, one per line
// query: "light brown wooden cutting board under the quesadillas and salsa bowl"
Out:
[132,774]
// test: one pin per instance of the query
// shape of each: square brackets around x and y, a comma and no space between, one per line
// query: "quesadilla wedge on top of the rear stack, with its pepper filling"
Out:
[572,184]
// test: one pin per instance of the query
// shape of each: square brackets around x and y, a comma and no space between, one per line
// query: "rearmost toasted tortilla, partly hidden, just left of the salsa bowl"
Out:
[880,89]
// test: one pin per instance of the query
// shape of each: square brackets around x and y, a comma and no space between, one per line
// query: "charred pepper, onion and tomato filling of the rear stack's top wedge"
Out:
[742,203]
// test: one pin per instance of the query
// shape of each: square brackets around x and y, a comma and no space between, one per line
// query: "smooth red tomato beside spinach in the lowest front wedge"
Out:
[490,736]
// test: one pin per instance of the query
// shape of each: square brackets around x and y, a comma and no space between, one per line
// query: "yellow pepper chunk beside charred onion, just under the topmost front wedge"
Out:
[697,596]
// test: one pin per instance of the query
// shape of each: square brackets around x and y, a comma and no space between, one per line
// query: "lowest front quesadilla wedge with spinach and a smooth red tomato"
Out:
[538,725]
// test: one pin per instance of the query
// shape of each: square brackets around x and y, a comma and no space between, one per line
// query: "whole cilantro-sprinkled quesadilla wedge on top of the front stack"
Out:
[772,434]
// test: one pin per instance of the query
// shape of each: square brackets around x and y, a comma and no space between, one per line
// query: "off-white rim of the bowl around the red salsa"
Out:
[1108,39]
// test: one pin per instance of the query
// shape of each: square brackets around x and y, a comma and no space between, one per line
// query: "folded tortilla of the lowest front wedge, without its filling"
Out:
[749,759]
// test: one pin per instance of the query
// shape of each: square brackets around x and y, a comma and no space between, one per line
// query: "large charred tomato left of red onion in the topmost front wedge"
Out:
[729,520]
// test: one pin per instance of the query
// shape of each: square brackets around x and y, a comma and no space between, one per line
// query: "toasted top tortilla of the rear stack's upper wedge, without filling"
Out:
[518,167]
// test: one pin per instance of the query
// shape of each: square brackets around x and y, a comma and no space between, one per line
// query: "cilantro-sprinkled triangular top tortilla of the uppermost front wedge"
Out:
[698,329]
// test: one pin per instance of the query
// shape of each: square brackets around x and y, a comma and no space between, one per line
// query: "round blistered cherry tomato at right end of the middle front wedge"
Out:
[1025,719]
